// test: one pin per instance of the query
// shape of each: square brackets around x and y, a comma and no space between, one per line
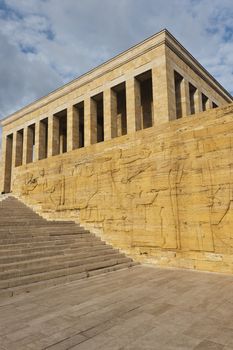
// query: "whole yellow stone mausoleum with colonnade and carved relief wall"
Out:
[136,150]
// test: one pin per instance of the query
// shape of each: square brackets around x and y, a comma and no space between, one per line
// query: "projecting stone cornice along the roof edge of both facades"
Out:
[158,39]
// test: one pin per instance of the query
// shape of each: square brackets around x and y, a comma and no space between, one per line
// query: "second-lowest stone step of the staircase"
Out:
[14,282]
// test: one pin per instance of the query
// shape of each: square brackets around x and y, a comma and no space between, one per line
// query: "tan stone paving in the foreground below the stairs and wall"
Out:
[133,309]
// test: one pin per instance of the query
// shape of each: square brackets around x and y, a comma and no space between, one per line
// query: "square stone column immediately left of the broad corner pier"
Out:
[133,105]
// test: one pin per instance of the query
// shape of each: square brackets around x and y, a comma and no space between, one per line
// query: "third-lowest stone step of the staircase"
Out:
[55,264]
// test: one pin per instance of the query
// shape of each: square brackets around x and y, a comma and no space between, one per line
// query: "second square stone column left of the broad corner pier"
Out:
[110,114]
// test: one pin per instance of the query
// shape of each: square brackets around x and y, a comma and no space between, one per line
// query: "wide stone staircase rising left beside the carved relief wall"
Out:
[36,253]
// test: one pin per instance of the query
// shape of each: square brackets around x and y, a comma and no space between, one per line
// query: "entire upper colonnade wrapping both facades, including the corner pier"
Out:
[137,103]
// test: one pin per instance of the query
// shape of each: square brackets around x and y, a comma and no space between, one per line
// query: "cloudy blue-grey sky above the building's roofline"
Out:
[46,43]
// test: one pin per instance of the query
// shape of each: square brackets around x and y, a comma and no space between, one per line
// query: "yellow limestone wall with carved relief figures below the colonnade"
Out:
[164,195]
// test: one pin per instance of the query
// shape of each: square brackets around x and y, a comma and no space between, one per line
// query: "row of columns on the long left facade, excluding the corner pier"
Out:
[116,111]
